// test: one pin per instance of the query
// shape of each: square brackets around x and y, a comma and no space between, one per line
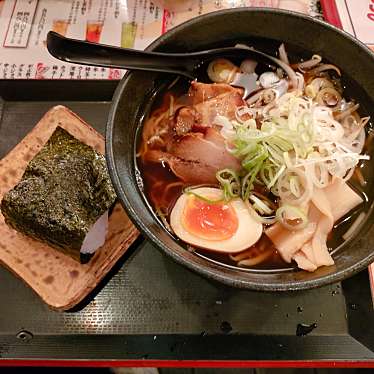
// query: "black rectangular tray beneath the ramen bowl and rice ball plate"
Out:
[148,307]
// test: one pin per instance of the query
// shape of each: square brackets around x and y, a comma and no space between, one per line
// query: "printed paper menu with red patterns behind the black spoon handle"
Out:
[24,25]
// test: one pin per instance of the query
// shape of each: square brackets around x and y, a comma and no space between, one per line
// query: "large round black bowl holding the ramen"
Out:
[265,29]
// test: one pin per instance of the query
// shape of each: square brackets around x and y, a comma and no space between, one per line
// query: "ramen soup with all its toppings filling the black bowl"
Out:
[275,180]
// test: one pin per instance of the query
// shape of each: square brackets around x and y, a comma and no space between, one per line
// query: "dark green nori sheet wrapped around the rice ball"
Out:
[63,191]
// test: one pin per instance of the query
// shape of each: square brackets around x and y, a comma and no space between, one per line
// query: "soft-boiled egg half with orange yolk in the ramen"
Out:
[202,218]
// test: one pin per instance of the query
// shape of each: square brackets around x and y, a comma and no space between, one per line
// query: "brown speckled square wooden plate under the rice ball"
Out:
[58,279]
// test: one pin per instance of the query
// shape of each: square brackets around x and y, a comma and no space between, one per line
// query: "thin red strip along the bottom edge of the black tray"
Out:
[187,364]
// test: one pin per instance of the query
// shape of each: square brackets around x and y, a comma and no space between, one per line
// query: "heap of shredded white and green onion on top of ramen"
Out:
[278,150]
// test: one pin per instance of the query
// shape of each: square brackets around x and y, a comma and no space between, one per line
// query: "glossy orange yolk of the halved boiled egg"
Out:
[210,221]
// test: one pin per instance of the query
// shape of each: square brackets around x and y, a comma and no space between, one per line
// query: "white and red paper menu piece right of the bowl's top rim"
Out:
[353,16]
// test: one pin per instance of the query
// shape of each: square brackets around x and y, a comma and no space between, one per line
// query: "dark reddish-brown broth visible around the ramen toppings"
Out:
[162,188]
